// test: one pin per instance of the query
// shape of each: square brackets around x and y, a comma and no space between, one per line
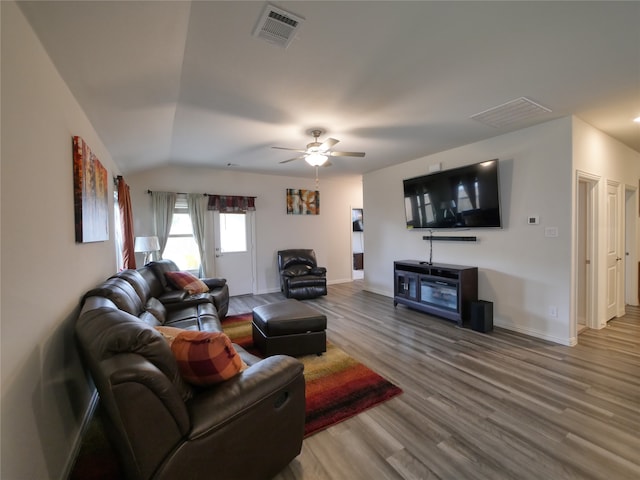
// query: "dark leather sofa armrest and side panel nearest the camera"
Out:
[248,427]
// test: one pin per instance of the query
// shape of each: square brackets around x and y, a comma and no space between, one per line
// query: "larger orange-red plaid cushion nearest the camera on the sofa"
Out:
[204,358]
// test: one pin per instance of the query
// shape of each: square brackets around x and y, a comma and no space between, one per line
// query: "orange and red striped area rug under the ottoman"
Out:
[338,387]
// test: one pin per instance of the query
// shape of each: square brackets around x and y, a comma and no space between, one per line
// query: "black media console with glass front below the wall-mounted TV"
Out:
[439,289]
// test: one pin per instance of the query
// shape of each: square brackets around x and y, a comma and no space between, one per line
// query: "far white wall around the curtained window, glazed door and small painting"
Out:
[329,233]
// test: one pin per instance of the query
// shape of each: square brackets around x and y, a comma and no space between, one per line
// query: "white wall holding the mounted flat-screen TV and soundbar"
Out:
[523,272]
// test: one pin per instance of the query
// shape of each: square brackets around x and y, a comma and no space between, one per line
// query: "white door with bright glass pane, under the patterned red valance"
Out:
[234,251]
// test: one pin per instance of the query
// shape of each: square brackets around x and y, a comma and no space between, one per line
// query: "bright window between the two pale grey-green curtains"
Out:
[181,246]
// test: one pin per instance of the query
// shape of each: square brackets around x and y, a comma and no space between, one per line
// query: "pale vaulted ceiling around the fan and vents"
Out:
[186,83]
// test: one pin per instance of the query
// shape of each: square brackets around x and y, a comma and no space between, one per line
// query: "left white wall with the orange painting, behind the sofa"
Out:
[44,272]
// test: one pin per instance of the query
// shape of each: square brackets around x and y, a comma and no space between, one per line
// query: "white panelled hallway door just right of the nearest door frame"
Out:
[613,250]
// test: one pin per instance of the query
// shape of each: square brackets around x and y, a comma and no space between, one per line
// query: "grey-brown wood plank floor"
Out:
[493,406]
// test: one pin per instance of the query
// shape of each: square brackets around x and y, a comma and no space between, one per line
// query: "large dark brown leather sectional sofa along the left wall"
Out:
[250,426]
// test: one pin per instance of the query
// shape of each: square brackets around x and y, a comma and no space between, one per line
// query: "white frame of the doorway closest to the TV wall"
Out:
[591,201]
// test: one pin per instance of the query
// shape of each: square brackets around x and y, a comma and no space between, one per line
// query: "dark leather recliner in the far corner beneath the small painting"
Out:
[300,276]
